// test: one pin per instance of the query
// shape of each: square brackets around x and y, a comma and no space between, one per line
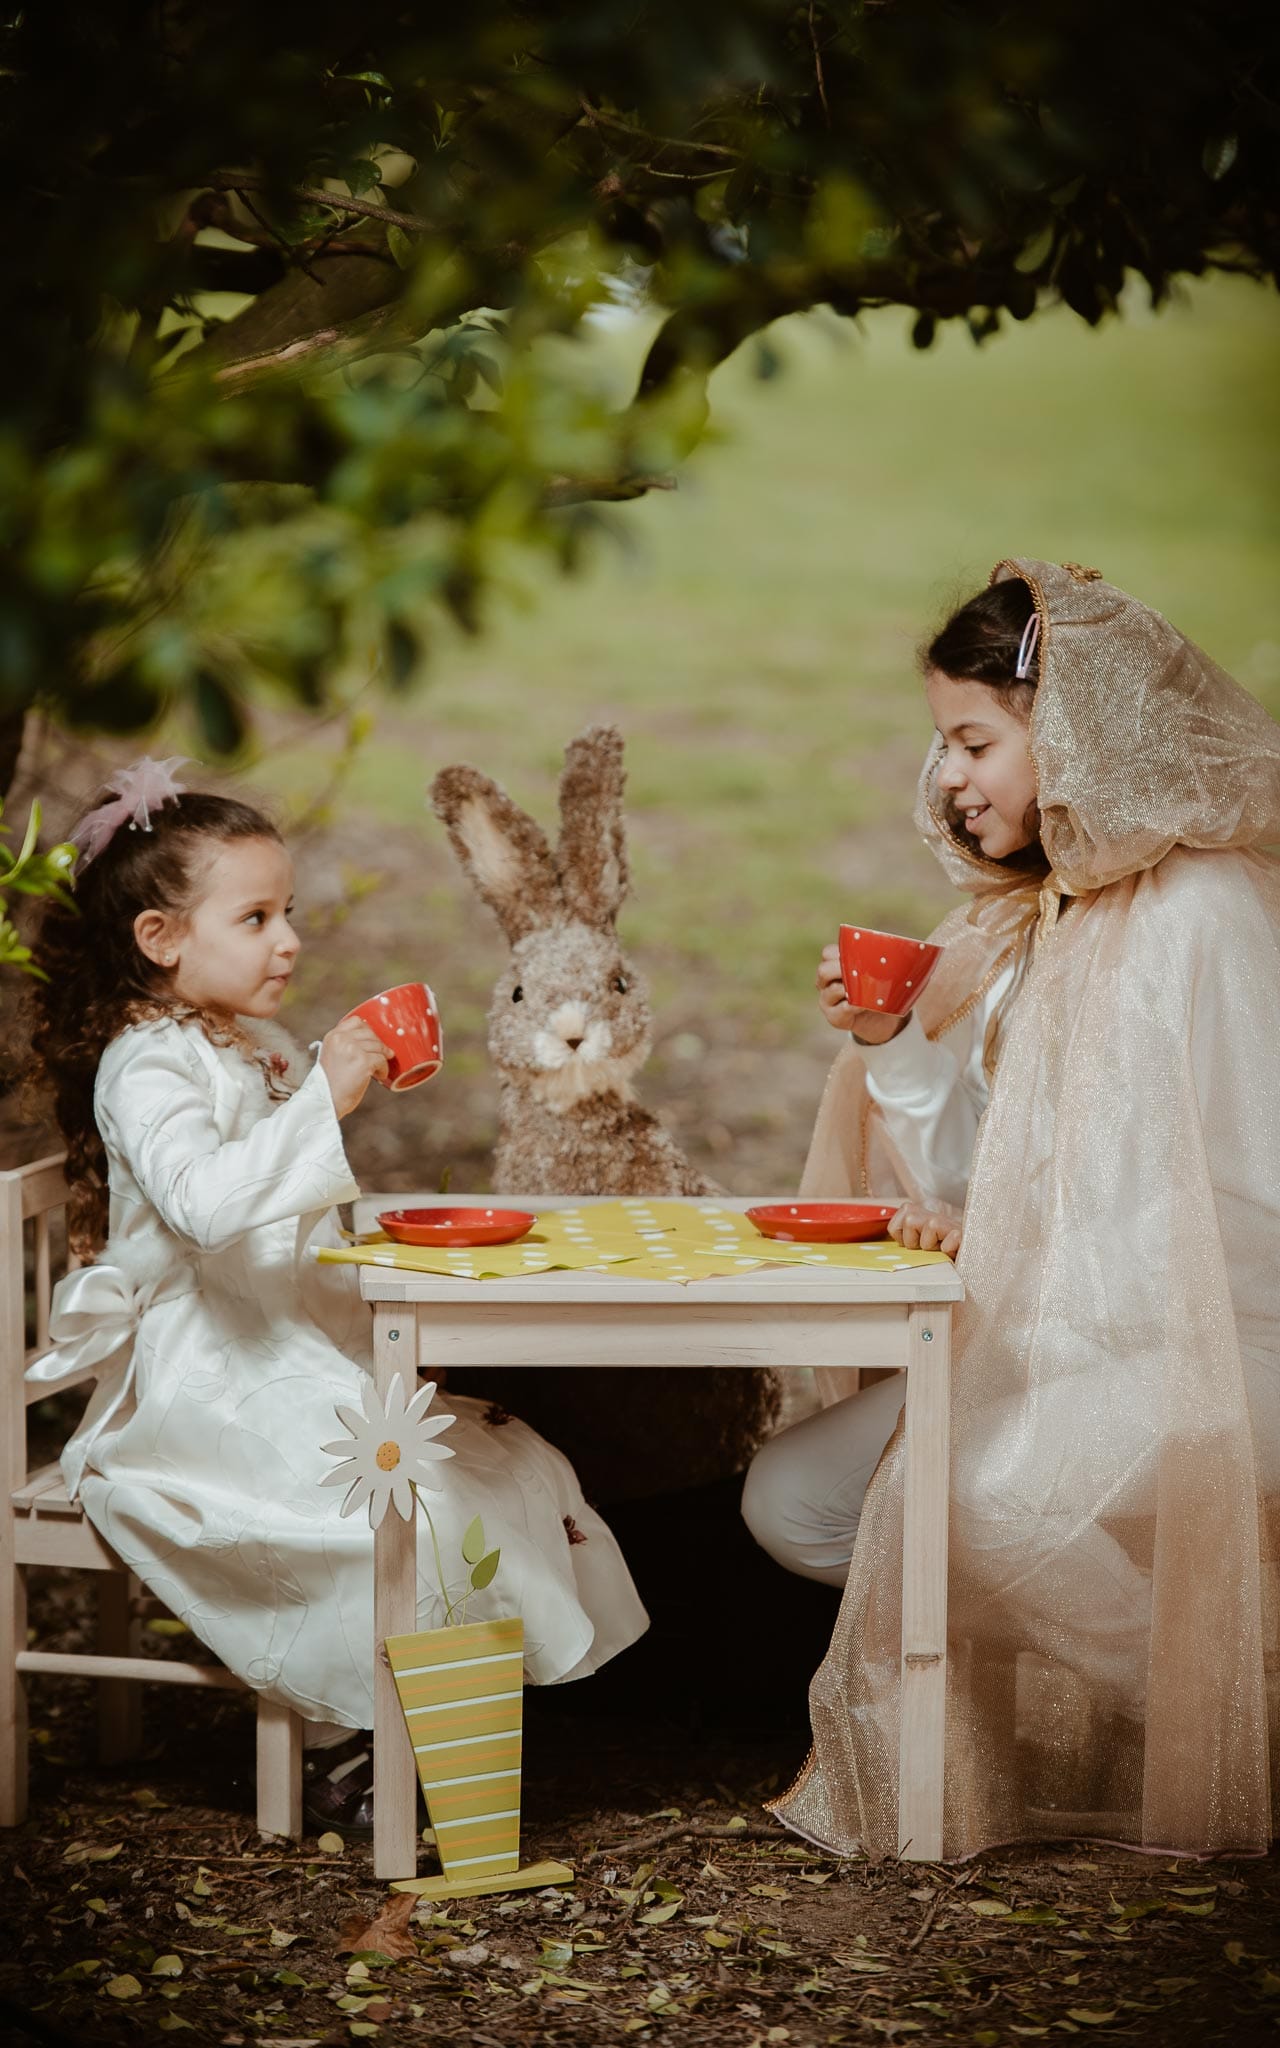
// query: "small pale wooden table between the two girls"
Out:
[777,1316]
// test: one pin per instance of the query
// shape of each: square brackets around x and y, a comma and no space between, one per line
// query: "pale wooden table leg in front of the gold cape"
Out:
[925,1584]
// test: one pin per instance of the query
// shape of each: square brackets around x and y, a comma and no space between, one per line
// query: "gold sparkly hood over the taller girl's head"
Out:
[1138,738]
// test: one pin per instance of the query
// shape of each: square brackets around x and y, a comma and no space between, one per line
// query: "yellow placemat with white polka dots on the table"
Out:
[652,1240]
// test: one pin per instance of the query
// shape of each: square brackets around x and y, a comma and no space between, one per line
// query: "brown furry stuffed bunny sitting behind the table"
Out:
[570,1025]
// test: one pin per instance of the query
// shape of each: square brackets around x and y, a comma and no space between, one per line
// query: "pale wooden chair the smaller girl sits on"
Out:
[42,1527]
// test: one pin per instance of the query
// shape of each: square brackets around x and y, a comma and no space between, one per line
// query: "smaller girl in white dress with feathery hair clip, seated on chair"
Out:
[206,1158]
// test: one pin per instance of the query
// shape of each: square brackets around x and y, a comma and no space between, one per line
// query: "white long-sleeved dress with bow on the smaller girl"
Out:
[222,1351]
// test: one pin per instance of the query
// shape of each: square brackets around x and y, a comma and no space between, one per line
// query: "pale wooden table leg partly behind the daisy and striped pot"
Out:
[394,1615]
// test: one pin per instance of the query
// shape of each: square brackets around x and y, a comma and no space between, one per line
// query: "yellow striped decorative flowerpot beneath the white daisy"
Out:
[464,1697]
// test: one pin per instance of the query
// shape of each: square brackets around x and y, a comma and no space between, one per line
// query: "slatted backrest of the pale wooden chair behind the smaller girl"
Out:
[30,1263]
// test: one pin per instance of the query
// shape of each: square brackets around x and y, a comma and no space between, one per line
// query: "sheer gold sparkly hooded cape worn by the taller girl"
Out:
[1115,1496]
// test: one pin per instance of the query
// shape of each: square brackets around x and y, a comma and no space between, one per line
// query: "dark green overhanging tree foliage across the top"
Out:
[278,390]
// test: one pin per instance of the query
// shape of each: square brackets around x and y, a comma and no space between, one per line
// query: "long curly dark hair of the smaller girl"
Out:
[99,982]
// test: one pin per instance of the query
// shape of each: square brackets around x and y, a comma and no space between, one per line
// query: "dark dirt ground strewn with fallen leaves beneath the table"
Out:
[142,1902]
